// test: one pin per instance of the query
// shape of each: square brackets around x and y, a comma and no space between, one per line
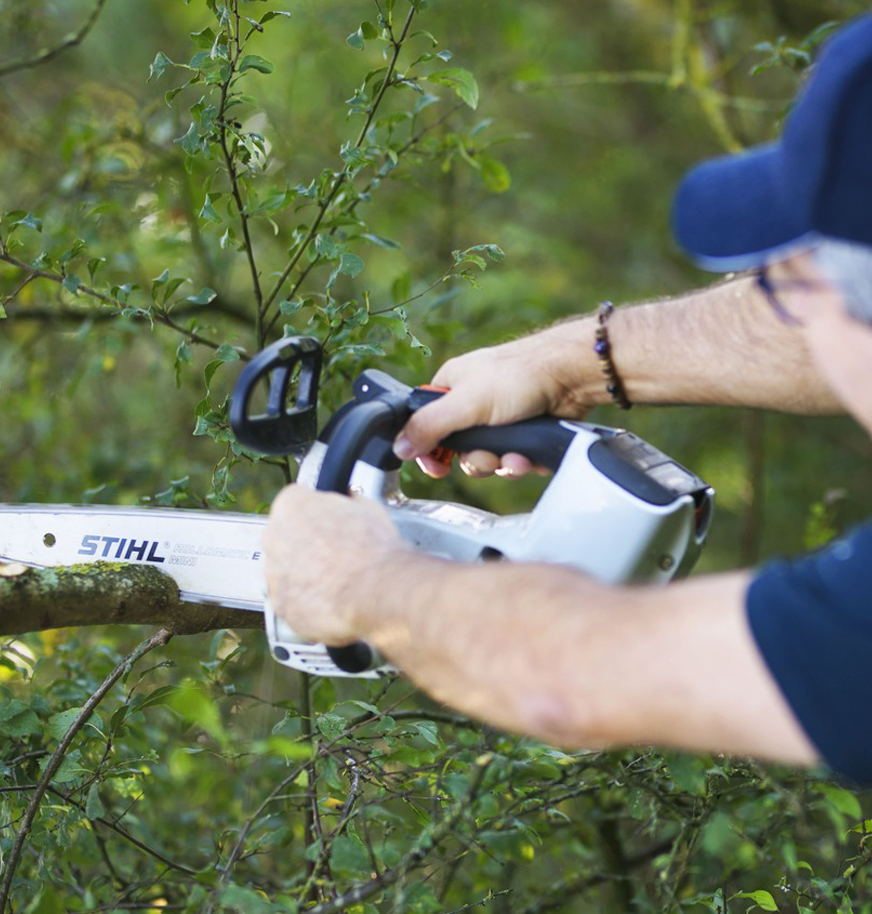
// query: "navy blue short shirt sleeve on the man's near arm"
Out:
[812,621]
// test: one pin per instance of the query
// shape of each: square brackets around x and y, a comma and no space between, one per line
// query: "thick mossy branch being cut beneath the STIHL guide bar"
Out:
[103,593]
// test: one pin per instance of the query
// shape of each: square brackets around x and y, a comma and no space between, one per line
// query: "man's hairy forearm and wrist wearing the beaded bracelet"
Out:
[721,345]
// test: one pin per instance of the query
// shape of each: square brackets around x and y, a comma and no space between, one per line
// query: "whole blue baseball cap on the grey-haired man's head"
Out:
[738,212]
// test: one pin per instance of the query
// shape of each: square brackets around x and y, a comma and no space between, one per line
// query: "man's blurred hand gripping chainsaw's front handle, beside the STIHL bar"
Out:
[322,553]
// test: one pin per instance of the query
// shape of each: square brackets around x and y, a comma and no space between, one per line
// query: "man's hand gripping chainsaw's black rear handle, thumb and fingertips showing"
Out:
[496,386]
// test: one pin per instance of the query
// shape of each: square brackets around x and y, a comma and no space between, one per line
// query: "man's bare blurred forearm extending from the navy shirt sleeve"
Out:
[547,652]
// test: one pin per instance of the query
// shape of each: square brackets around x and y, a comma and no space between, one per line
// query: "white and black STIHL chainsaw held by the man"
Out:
[616,507]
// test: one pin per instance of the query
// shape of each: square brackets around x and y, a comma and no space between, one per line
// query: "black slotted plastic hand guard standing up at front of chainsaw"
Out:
[280,430]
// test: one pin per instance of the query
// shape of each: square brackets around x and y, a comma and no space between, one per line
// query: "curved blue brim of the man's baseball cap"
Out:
[731,213]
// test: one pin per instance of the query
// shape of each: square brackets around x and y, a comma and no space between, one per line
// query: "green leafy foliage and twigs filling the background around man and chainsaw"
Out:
[234,171]
